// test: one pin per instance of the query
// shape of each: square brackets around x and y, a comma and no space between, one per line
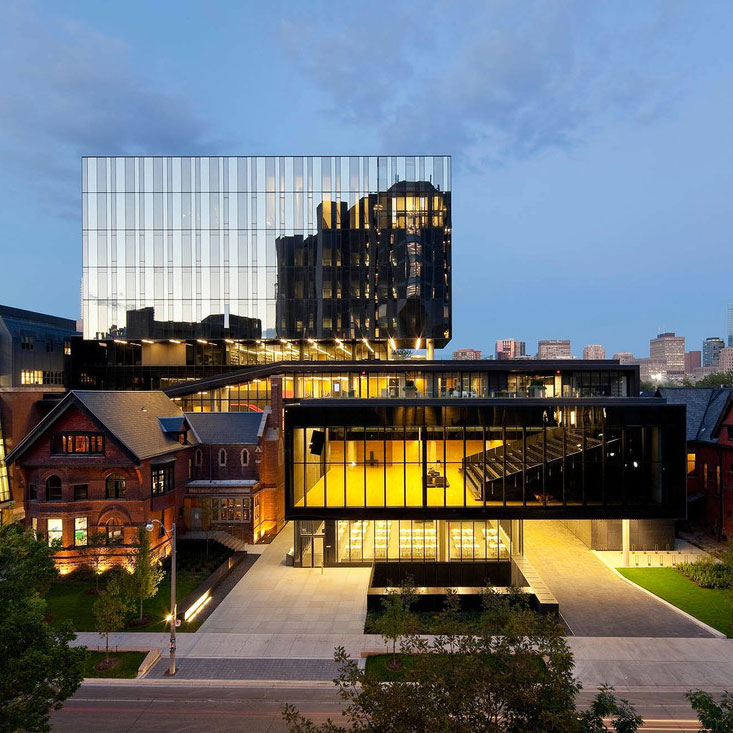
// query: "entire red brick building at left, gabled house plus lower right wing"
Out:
[104,461]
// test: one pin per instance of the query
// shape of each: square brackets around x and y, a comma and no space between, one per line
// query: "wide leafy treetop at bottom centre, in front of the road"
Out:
[518,680]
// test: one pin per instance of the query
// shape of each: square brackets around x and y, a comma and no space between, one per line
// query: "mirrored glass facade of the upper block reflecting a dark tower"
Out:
[317,247]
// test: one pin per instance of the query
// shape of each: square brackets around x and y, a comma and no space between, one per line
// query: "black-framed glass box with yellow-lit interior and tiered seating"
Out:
[529,459]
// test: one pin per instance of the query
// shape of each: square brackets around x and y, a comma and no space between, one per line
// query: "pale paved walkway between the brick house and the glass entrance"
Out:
[273,598]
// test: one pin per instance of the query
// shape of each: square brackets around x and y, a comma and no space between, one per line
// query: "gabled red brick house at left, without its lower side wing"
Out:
[104,461]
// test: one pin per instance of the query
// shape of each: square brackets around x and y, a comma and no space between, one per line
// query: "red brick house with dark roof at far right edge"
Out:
[709,455]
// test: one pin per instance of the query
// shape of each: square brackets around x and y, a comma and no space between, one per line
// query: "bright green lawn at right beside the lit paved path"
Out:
[709,605]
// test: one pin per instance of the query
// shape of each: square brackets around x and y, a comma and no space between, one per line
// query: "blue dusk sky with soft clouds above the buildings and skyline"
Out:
[591,141]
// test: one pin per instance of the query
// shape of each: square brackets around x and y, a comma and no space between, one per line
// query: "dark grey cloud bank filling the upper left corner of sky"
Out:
[68,90]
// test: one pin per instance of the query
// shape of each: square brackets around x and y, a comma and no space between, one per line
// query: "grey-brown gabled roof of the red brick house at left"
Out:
[132,418]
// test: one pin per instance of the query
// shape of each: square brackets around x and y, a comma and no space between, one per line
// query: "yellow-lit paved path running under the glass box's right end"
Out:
[594,601]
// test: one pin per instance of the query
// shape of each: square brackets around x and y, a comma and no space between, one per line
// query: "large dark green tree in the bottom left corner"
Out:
[38,667]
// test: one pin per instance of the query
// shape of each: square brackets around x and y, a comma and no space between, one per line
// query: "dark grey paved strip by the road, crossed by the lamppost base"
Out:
[313,670]
